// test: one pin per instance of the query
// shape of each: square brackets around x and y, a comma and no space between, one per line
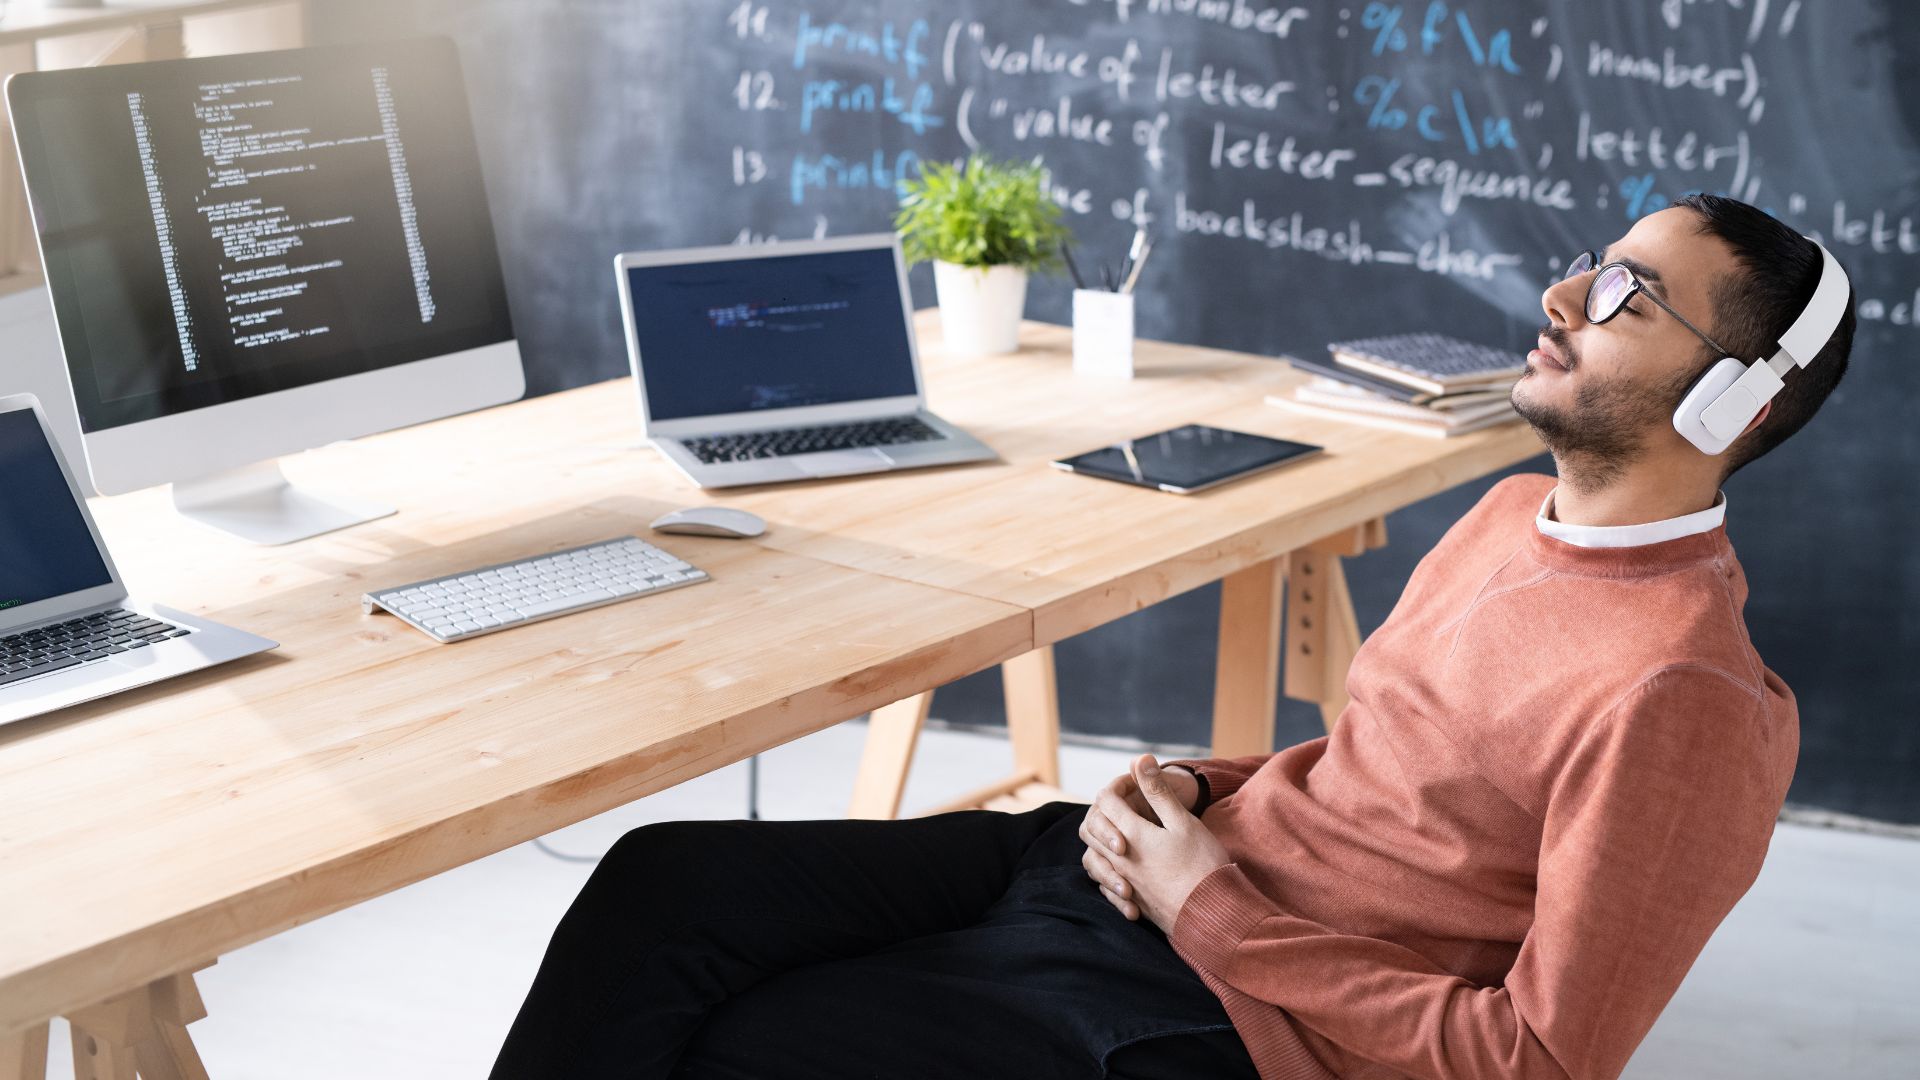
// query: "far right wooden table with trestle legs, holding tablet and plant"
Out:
[1082,552]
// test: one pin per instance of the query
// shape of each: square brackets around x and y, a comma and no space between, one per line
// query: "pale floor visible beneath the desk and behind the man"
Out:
[1815,975]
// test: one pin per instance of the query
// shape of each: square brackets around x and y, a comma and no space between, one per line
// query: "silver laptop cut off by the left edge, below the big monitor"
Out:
[68,629]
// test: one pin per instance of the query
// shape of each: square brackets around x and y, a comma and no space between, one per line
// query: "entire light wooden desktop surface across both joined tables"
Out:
[162,827]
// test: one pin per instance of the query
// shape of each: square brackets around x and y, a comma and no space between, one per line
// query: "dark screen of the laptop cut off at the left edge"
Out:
[45,545]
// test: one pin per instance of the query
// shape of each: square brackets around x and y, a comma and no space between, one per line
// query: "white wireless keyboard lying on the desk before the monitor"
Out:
[492,599]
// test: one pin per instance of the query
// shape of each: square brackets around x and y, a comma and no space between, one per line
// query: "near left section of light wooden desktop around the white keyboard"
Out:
[362,756]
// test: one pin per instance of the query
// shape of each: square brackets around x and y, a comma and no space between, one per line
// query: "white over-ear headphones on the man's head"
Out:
[1733,393]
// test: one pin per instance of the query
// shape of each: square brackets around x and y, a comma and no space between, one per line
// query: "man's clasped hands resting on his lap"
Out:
[1145,847]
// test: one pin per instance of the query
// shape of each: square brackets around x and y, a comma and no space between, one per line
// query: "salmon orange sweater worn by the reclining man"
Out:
[1558,773]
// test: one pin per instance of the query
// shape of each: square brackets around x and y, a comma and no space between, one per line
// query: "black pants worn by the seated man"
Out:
[967,945]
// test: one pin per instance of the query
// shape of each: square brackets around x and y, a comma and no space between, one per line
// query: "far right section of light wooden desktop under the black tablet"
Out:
[1084,552]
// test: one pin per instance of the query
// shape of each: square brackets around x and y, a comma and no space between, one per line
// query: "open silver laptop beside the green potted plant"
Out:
[782,362]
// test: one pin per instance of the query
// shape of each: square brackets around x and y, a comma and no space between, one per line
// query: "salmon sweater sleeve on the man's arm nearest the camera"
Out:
[1654,829]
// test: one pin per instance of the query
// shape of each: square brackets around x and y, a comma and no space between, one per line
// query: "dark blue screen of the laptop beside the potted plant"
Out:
[771,333]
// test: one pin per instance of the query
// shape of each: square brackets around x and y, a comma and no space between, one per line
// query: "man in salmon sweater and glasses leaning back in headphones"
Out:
[1558,773]
